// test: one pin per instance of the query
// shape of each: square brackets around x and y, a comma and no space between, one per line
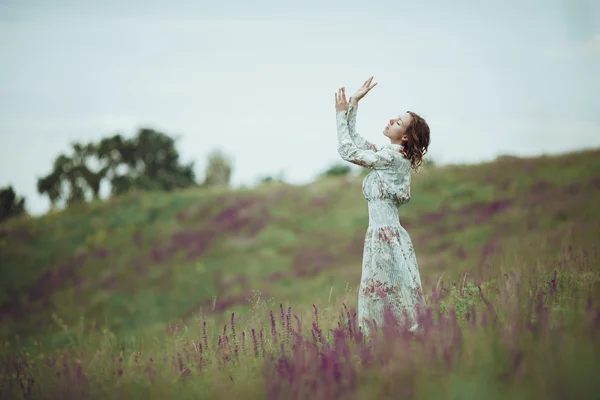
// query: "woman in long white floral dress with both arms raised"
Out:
[390,274]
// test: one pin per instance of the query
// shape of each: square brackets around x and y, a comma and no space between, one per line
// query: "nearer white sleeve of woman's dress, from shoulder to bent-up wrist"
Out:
[350,152]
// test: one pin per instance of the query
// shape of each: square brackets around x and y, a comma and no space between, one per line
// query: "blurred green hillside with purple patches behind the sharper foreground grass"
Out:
[141,260]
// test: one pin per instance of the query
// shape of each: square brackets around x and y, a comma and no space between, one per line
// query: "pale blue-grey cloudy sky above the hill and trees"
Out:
[257,80]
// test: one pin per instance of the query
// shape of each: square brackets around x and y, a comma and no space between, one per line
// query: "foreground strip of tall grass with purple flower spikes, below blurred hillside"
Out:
[532,332]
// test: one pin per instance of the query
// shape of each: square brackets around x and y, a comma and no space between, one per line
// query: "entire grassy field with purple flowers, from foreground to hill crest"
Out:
[215,293]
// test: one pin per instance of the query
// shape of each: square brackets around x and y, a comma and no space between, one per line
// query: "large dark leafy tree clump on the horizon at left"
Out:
[148,161]
